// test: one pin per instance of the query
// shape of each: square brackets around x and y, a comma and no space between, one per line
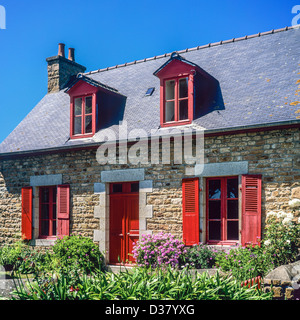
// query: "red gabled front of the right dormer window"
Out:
[176,91]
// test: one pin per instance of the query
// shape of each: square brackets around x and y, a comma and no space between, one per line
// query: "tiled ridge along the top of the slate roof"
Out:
[196,48]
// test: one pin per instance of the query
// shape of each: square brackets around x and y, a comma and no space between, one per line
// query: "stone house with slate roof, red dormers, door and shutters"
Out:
[201,143]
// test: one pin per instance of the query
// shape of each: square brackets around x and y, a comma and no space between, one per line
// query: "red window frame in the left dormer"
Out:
[83,116]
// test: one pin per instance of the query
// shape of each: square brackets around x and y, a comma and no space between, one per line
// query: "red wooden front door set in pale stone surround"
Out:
[124,221]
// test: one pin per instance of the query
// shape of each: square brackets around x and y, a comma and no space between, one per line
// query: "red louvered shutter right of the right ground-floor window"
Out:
[251,209]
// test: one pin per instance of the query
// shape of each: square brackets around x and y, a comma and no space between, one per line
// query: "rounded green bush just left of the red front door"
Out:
[77,252]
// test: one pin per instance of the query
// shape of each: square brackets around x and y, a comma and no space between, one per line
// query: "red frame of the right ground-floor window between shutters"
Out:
[223,214]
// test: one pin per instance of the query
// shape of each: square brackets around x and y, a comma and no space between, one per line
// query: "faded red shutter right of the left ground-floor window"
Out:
[63,210]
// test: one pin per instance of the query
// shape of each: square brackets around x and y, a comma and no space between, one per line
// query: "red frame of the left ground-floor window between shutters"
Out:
[52,219]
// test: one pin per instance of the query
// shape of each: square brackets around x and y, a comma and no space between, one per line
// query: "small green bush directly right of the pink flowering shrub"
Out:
[200,256]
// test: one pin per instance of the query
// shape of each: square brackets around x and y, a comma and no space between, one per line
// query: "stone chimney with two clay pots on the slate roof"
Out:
[61,69]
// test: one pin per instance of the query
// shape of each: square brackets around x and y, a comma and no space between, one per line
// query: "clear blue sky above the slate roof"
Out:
[109,32]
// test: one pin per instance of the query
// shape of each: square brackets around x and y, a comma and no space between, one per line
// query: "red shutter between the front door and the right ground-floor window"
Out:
[190,211]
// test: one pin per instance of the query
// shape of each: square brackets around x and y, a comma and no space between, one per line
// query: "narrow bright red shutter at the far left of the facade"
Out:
[26,228]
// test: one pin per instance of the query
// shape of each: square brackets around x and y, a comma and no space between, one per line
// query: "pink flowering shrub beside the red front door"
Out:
[159,250]
